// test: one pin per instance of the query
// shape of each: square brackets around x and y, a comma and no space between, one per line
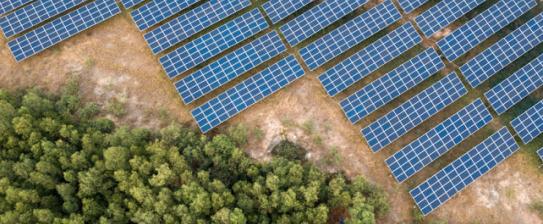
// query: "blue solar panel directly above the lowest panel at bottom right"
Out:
[438,141]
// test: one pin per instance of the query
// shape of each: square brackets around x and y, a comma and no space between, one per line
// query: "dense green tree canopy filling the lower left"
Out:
[58,164]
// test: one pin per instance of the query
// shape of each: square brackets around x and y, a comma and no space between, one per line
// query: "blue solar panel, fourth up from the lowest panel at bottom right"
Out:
[392,85]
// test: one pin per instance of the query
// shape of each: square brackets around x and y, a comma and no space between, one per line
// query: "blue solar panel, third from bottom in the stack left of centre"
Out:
[213,43]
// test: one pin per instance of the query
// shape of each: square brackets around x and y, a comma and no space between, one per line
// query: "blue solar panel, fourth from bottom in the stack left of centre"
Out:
[192,22]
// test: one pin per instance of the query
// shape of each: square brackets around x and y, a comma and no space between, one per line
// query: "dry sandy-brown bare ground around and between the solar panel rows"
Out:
[115,66]
